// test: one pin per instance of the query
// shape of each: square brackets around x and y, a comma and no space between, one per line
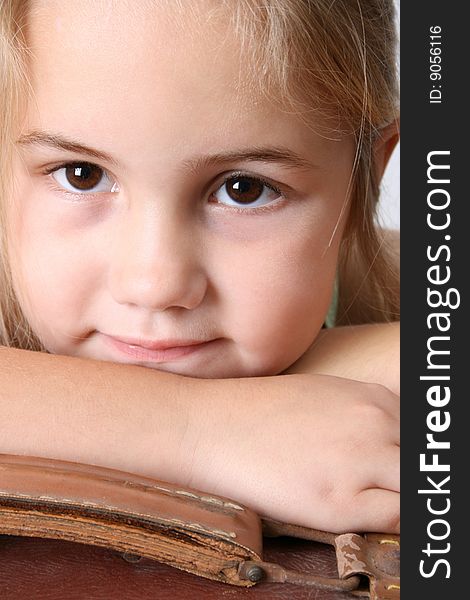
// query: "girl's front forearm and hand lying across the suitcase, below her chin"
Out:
[314,450]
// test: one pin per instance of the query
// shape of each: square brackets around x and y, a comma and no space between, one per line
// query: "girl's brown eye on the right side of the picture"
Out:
[246,191]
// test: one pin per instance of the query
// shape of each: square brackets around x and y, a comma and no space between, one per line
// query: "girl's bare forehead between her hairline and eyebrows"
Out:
[150,74]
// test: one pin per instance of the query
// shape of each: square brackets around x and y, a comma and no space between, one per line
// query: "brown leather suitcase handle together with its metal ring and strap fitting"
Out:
[199,533]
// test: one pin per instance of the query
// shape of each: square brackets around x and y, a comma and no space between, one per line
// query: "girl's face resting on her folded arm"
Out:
[163,215]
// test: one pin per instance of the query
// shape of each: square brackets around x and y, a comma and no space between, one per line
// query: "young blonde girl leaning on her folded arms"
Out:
[183,188]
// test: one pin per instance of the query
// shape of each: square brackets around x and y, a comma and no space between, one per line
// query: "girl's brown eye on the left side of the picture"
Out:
[84,178]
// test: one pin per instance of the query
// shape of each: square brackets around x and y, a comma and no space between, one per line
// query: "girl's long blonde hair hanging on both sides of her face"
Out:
[316,58]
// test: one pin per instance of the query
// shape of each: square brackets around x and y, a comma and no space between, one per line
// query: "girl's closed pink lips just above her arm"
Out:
[156,351]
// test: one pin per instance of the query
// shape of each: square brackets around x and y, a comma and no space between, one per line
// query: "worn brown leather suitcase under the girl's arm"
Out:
[76,532]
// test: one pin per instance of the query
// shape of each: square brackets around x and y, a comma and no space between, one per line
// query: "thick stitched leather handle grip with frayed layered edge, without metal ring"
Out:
[199,533]
